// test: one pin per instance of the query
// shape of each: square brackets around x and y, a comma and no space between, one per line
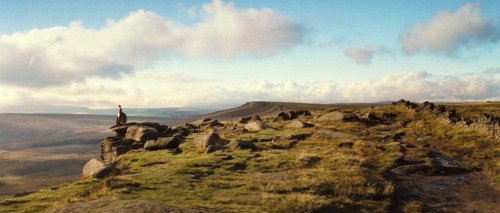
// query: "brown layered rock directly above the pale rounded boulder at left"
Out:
[112,147]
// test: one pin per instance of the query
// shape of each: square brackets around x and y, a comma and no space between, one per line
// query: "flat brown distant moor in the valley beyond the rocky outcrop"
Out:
[42,150]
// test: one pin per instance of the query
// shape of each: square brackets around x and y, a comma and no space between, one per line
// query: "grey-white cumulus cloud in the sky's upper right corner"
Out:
[447,32]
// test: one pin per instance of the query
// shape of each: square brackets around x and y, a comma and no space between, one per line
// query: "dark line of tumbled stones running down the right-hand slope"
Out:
[486,124]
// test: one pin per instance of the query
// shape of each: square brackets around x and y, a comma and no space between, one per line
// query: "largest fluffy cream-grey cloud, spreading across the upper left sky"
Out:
[66,54]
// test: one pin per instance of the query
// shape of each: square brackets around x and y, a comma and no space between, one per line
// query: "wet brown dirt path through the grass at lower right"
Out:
[428,182]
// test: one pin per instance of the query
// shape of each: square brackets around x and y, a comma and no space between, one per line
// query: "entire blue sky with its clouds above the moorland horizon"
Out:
[150,54]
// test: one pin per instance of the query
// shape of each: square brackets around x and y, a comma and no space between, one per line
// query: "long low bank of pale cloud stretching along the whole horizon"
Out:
[415,86]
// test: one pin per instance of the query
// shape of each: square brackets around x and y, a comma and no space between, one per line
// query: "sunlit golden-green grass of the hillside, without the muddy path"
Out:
[293,169]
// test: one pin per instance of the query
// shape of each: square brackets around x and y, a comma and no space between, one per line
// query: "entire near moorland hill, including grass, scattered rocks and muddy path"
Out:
[401,157]
